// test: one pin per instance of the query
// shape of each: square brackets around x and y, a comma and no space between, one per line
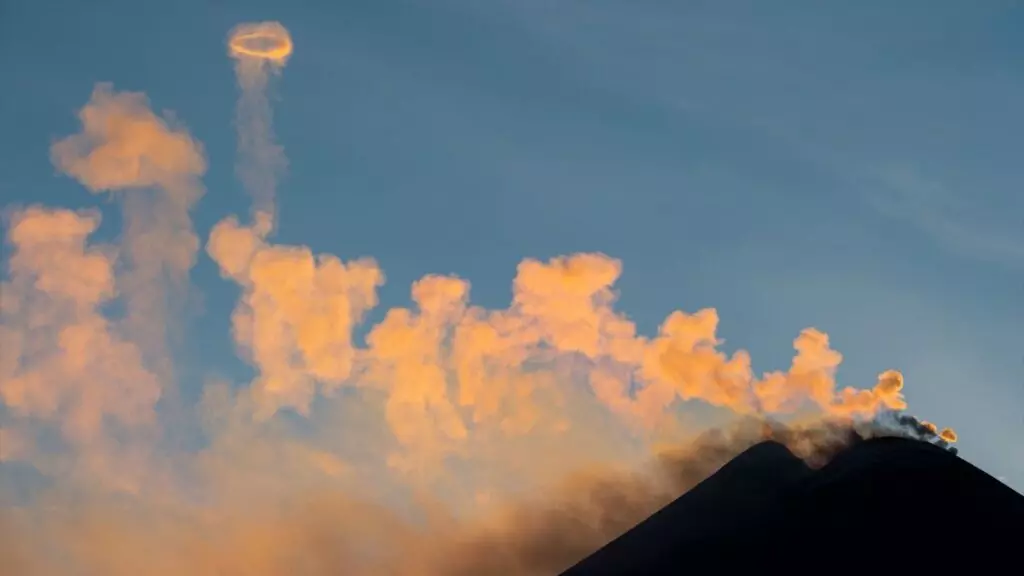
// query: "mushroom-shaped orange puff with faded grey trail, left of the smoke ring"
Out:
[124,147]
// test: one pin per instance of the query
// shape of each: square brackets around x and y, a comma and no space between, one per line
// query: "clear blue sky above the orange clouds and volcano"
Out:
[849,167]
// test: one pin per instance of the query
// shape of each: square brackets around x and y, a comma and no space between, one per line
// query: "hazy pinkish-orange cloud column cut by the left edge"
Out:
[64,362]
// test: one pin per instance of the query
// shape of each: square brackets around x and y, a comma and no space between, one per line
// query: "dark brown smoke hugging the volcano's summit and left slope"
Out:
[546,538]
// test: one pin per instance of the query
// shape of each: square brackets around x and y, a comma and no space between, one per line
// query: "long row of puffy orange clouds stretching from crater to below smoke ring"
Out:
[454,374]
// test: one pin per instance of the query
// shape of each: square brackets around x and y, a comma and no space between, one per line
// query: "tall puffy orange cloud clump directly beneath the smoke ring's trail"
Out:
[296,316]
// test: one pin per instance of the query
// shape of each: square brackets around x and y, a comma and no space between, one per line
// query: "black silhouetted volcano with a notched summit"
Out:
[883,504]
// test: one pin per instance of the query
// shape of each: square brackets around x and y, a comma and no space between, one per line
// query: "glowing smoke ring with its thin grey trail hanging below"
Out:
[260,50]
